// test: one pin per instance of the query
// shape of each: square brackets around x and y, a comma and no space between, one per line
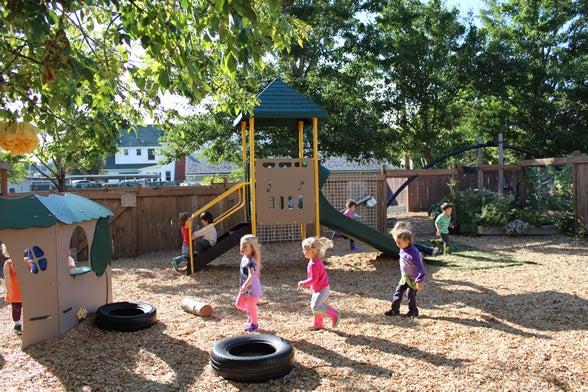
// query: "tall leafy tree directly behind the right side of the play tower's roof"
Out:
[330,70]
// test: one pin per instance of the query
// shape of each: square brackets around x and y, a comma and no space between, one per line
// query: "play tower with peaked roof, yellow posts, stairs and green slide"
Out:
[282,190]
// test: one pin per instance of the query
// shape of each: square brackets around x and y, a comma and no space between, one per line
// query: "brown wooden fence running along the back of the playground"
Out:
[146,219]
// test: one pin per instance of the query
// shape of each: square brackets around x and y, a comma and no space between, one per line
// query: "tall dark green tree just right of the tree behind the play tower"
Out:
[418,50]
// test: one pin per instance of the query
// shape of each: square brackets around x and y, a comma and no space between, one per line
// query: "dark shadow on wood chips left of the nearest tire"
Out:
[114,356]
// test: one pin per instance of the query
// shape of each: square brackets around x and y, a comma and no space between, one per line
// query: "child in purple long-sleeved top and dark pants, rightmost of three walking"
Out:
[413,274]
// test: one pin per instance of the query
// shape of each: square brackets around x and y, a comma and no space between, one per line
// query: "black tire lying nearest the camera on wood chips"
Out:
[252,358]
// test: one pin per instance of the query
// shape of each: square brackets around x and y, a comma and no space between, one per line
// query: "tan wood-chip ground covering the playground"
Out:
[519,328]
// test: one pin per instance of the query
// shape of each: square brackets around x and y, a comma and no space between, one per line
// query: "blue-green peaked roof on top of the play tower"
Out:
[281,105]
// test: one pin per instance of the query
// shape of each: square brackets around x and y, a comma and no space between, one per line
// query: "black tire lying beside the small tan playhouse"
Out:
[125,316]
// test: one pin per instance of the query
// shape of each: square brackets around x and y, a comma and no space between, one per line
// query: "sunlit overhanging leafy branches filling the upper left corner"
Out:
[79,68]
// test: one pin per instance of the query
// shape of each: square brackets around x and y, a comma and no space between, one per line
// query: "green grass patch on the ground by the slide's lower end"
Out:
[464,257]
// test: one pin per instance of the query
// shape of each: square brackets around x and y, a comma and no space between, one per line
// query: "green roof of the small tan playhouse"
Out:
[45,211]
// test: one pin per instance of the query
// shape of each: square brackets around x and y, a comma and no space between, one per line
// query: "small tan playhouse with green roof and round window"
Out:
[47,227]
